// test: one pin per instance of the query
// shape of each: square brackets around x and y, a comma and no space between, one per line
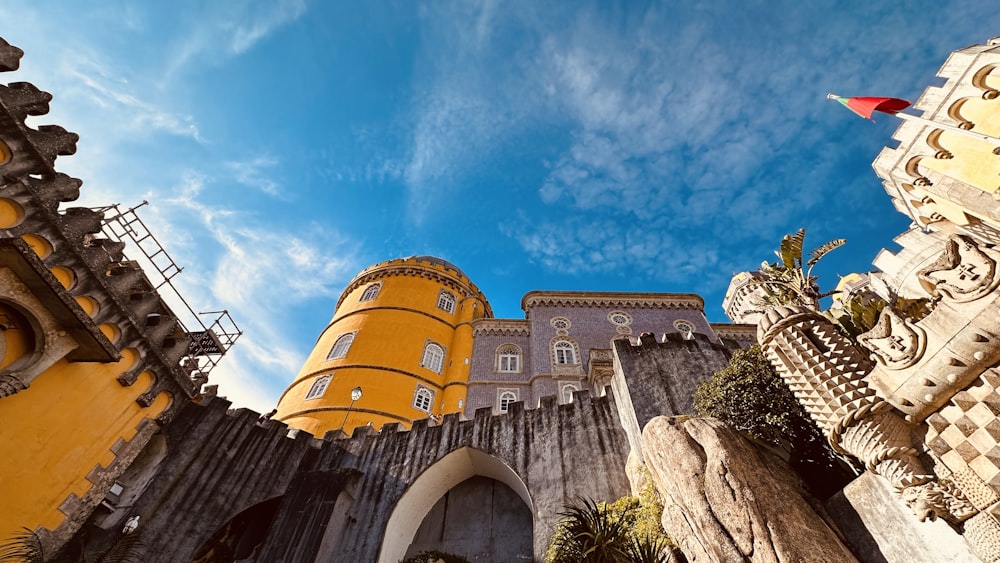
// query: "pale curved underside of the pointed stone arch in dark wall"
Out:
[443,475]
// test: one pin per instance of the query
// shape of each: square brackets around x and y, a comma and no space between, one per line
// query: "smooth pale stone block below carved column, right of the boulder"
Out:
[880,529]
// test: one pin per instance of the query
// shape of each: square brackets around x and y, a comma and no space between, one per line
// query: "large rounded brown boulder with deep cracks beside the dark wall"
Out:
[725,500]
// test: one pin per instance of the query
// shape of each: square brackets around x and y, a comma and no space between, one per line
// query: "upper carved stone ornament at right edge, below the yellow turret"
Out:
[964,272]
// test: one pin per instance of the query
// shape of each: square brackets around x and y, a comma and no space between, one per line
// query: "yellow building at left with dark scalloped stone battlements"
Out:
[92,361]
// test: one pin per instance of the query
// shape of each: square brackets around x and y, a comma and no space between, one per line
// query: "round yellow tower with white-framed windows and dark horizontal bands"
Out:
[397,349]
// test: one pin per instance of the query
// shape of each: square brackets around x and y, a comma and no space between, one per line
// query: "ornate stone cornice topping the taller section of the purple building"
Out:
[613,299]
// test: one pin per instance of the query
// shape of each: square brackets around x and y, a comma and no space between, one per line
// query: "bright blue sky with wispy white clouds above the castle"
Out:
[644,146]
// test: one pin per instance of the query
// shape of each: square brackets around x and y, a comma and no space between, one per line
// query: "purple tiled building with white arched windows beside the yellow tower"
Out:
[565,343]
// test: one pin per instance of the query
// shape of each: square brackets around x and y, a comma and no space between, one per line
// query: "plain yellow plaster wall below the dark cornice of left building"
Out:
[58,430]
